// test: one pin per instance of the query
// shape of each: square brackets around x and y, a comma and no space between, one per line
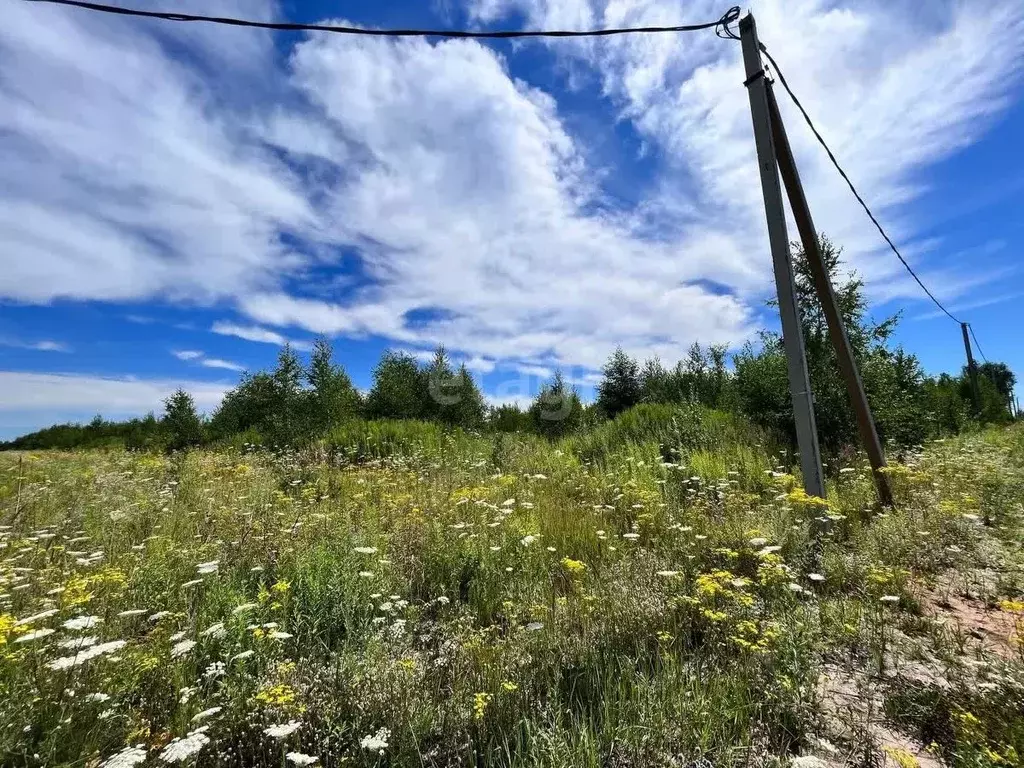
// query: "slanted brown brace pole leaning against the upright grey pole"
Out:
[827,296]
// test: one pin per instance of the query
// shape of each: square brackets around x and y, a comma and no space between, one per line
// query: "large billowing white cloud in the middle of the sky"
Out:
[478,203]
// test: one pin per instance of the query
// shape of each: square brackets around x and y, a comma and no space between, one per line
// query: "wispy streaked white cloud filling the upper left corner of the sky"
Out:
[127,172]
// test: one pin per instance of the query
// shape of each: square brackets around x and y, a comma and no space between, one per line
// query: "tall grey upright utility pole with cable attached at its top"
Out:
[793,337]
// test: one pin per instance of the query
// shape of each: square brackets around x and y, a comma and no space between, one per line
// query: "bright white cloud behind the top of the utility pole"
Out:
[893,88]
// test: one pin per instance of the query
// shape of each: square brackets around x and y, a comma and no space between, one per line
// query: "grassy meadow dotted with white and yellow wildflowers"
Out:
[505,602]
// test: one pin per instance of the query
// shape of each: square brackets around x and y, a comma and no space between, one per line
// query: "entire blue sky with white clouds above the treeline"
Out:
[180,200]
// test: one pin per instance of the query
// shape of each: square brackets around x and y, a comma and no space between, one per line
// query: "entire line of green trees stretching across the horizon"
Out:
[296,404]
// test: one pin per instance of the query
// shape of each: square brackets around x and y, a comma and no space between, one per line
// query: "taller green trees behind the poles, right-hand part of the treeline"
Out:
[908,405]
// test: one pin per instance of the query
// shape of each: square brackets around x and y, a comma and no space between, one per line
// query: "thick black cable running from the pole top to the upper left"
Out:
[721,25]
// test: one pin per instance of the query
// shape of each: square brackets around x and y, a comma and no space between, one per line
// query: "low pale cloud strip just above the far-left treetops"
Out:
[32,401]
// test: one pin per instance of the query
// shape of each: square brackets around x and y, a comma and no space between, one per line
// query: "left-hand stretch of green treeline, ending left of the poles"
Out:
[295,404]
